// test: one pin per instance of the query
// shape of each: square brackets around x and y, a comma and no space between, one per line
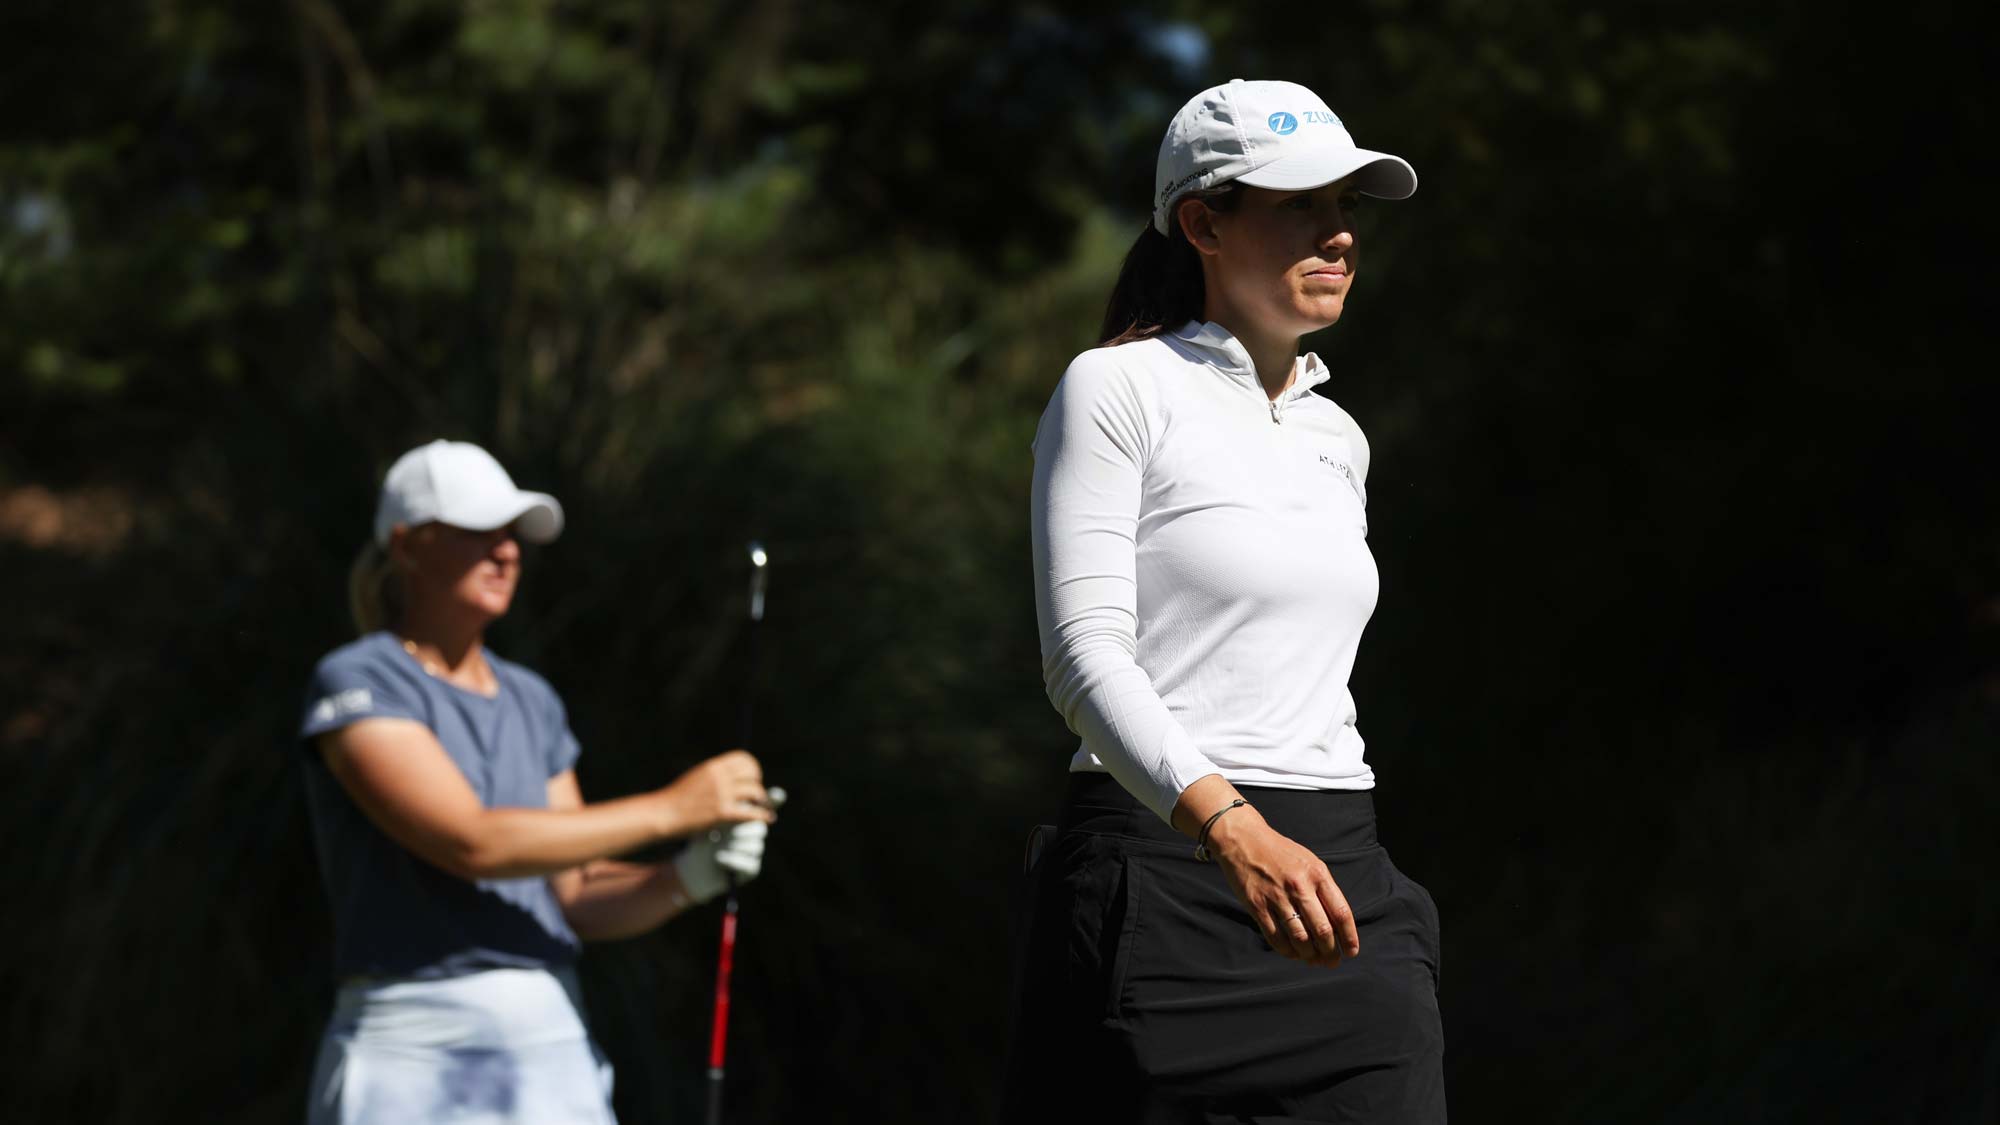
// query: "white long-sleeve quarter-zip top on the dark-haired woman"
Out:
[1203,574]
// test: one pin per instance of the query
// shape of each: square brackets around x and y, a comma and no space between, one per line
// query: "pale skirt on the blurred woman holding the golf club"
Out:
[503,1046]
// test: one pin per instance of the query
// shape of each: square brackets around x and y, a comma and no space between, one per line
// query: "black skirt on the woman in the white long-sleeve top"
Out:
[1147,996]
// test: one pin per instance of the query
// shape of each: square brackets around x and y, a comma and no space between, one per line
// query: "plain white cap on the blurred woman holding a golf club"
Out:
[461,485]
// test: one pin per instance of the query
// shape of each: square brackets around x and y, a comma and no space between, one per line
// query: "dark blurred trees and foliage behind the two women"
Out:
[1683,690]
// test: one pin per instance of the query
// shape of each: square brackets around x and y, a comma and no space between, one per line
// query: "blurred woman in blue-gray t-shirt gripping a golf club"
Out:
[461,860]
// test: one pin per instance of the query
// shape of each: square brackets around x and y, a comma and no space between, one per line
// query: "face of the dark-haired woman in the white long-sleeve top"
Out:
[1283,261]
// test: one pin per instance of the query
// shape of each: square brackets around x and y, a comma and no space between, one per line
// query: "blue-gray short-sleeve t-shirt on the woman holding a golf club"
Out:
[393,912]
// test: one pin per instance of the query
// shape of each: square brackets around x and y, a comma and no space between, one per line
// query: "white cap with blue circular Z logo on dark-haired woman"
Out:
[1267,135]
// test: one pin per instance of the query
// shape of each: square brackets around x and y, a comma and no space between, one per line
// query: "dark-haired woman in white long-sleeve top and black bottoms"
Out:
[1203,586]
